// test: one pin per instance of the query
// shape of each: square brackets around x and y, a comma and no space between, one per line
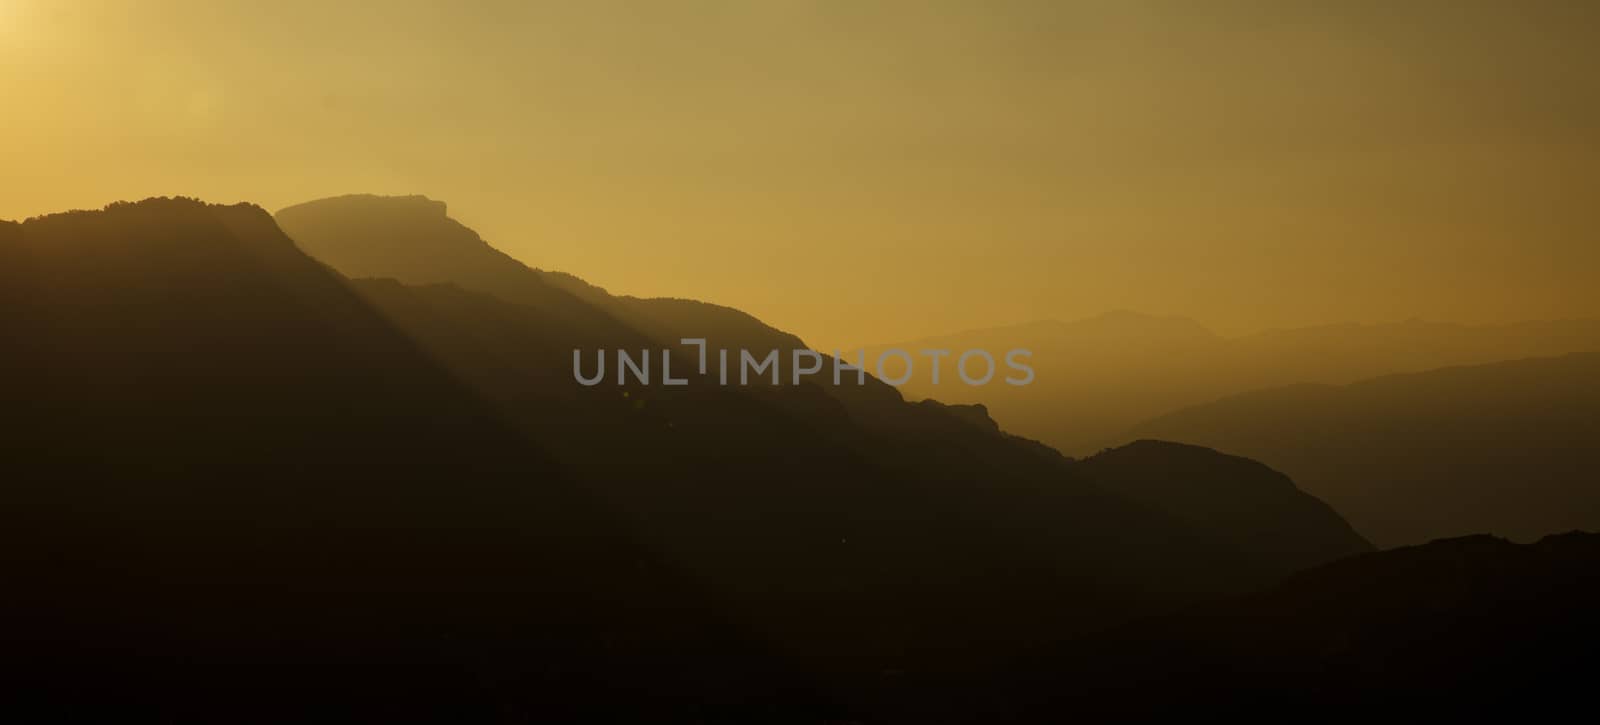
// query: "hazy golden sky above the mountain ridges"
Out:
[874,170]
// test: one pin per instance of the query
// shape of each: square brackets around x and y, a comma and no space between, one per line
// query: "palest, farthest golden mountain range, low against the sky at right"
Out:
[1100,377]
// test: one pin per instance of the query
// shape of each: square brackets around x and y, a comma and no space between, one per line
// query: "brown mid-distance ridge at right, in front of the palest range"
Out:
[1407,459]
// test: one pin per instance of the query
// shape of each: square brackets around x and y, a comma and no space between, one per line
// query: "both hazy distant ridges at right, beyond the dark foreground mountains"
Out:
[1414,431]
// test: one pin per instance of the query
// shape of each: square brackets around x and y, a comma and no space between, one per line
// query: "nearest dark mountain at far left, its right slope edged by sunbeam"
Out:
[238,492]
